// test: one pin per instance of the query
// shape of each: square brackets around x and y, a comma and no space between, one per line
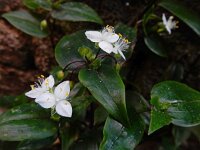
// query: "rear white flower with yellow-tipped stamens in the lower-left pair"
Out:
[41,87]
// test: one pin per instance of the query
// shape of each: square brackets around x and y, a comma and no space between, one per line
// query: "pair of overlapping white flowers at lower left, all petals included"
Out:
[47,97]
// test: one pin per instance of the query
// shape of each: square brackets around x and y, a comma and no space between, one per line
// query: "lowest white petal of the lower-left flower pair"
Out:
[64,108]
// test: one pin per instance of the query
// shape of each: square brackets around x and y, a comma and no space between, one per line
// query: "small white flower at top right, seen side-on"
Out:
[169,24]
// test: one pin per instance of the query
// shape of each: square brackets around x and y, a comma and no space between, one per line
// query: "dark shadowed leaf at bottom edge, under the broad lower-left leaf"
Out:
[36,144]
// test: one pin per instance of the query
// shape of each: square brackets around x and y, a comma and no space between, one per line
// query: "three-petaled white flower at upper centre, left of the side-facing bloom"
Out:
[104,38]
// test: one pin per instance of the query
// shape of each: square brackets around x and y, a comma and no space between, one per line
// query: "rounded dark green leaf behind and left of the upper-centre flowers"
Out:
[66,51]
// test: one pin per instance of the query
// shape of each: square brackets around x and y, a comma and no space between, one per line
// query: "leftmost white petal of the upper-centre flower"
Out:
[94,36]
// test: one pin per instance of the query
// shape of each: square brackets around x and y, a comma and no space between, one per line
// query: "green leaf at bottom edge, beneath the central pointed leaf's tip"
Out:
[118,137]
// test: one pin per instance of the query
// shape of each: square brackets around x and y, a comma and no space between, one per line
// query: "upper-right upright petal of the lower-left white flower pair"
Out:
[62,90]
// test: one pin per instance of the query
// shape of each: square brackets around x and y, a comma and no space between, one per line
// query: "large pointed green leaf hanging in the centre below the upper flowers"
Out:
[107,87]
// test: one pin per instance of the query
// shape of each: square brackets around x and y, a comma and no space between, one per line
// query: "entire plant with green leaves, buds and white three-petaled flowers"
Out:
[94,110]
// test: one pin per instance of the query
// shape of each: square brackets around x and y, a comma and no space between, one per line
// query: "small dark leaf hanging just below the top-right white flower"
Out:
[155,44]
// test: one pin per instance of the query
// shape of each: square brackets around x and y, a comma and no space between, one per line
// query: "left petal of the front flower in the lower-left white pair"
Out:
[46,100]
